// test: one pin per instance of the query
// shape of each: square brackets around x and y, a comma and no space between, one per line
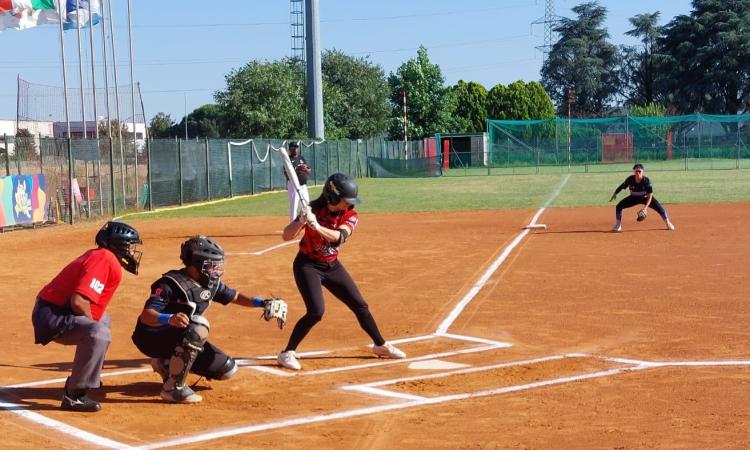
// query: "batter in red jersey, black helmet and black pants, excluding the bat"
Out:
[328,223]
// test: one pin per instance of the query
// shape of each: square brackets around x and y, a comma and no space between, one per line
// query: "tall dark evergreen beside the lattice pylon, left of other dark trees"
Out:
[583,59]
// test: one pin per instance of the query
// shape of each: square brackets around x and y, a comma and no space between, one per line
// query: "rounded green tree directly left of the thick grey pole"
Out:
[264,99]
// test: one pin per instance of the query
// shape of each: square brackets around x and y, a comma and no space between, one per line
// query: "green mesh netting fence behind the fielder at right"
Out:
[674,142]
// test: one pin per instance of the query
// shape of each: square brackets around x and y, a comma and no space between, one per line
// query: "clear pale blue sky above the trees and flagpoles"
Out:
[184,49]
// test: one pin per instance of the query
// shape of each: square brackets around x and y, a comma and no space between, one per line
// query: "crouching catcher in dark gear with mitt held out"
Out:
[172,328]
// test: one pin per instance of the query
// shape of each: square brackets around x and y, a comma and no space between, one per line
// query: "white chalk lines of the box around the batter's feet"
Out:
[487,345]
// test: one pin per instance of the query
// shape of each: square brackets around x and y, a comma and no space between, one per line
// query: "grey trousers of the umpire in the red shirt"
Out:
[91,339]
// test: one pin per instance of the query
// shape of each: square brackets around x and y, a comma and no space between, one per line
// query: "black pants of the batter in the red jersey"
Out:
[311,276]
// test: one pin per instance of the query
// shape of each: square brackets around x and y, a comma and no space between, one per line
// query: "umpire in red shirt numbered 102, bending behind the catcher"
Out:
[71,309]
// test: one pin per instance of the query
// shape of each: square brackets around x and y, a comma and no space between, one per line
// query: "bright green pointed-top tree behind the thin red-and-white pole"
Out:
[427,106]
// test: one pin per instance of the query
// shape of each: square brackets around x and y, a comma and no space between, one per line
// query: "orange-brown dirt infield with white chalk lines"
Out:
[580,338]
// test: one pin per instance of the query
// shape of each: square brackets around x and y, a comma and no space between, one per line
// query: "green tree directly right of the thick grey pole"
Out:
[355,95]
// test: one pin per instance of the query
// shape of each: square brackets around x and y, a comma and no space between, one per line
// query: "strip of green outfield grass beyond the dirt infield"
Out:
[494,192]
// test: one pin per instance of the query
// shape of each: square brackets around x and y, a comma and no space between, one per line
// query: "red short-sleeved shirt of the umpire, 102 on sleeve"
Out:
[95,275]
